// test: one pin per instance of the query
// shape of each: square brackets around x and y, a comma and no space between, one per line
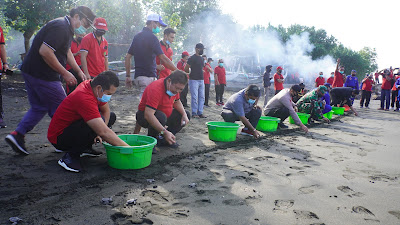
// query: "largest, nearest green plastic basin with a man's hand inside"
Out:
[136,156]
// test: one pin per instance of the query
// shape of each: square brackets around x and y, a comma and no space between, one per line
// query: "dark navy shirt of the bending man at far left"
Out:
[57,35]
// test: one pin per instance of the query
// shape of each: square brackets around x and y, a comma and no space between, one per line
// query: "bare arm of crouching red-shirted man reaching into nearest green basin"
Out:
[101,129]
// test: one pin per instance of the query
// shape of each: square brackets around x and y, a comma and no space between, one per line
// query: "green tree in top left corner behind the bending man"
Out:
[29,15]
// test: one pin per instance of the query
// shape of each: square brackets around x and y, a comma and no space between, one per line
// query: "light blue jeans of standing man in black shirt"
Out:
[197,92]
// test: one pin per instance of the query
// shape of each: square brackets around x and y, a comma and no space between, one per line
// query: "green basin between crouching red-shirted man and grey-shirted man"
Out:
[222,131]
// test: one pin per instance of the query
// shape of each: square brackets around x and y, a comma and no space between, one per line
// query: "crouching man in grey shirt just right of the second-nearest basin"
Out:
[243,106]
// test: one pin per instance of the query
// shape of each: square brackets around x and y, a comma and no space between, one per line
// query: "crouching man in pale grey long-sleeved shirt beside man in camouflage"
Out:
[282,106]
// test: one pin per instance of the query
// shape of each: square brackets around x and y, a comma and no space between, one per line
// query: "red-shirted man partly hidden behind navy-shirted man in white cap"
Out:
[165,43]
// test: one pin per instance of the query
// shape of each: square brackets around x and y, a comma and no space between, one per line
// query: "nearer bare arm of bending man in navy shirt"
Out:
[50,58]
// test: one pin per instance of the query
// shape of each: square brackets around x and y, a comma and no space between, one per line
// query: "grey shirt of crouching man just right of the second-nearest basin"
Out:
[238,104]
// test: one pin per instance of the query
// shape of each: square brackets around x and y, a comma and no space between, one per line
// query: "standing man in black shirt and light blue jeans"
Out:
[196,81]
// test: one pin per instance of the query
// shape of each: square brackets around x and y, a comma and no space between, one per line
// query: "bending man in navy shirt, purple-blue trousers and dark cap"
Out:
[42,67]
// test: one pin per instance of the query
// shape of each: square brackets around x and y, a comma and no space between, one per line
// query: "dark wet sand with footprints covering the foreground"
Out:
[345,172]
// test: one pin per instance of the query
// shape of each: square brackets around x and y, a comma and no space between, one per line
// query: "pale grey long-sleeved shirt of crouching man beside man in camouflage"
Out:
[280,100]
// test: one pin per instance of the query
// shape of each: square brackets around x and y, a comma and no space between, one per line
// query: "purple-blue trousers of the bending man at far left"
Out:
[44,97]
